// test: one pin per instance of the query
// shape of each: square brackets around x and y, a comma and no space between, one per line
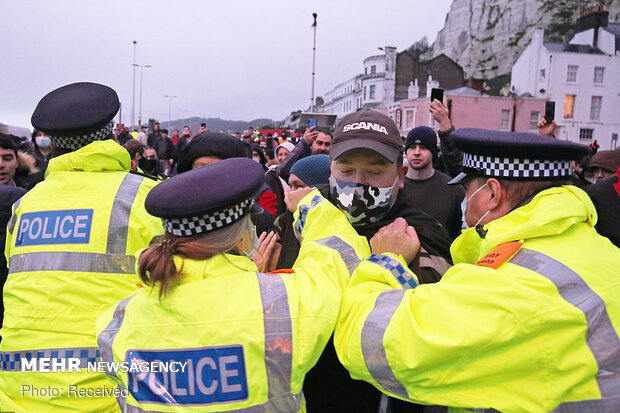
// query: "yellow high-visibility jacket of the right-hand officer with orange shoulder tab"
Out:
[525,321]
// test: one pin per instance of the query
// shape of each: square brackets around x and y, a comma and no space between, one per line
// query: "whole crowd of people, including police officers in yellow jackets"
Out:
[344,270]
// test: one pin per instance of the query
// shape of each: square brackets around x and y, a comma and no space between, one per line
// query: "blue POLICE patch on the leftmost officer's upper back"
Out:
[54,227]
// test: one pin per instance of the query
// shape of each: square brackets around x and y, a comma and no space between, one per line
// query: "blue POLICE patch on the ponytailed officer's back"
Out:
[203,376]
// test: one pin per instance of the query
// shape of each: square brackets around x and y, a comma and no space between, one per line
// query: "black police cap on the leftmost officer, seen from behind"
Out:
[76,114]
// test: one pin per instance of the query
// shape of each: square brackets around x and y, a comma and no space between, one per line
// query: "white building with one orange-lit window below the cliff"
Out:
[581,77]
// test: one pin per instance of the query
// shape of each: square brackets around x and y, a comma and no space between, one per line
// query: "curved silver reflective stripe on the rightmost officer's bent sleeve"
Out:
[373,332]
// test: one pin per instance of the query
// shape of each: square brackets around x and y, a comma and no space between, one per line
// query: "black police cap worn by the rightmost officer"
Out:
[514,156]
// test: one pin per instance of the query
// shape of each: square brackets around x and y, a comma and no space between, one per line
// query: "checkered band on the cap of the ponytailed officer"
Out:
[186,227]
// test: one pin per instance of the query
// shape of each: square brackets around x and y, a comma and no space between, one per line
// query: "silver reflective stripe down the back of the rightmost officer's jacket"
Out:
[602,338]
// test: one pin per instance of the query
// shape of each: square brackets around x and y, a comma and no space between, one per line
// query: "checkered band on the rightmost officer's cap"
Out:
[500,167]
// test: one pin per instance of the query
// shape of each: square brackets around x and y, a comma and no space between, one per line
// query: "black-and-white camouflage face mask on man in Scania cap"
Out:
[362,204]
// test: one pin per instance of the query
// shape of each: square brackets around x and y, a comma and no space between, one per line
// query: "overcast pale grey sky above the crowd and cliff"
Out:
[232,59]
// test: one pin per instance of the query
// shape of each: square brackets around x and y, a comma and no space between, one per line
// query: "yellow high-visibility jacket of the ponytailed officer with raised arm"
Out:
[246,339]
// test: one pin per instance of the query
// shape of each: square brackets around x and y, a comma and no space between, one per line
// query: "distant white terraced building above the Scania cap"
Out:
[374,88]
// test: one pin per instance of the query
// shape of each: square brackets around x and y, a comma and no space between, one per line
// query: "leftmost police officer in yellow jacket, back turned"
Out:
[70,248]
